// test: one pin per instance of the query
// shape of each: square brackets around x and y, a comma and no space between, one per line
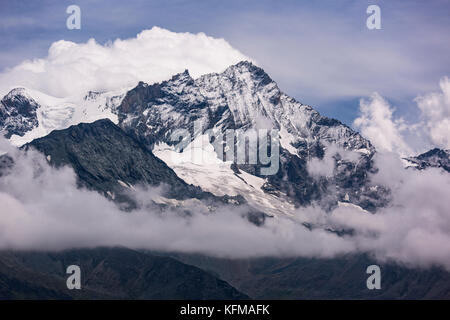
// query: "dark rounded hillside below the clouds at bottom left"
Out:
[107,273]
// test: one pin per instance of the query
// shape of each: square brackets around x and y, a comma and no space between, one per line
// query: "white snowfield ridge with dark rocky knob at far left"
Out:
[27,114]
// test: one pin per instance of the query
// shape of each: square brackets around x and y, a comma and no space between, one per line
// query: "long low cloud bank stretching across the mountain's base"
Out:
[42,209]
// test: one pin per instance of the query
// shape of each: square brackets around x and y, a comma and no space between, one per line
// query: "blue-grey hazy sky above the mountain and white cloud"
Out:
[320,52]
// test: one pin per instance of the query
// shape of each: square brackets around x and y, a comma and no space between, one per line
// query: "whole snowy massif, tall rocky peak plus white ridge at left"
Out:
[243,97]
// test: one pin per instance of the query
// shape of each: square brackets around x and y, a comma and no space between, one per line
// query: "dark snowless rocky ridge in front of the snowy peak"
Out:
[106,159]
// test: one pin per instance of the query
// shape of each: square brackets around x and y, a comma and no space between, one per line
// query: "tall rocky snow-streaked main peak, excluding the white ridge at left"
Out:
[245,97]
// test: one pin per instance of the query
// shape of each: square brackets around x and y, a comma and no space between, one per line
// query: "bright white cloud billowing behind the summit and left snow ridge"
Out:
[154,55]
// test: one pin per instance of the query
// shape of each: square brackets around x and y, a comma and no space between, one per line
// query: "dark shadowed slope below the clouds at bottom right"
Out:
[342,277]
